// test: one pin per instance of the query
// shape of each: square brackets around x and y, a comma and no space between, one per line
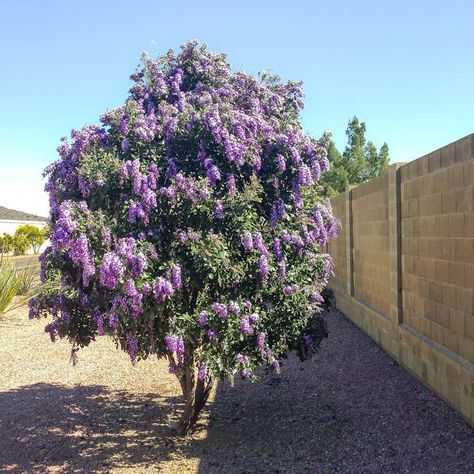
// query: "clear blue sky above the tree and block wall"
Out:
[406,68]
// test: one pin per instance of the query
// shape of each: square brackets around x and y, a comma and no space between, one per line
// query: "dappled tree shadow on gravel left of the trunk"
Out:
[82,429]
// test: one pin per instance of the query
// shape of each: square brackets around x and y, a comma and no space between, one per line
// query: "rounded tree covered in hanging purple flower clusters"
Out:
[189,226]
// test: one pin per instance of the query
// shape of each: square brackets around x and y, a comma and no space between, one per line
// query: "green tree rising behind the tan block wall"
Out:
[359,162]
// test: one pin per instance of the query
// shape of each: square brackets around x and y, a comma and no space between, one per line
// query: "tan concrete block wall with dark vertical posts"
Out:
[408,264]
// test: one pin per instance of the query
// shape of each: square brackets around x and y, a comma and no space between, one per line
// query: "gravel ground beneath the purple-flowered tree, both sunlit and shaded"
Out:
[349,409]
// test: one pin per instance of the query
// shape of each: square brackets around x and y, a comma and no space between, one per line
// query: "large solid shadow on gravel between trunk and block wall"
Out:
[349,409]
